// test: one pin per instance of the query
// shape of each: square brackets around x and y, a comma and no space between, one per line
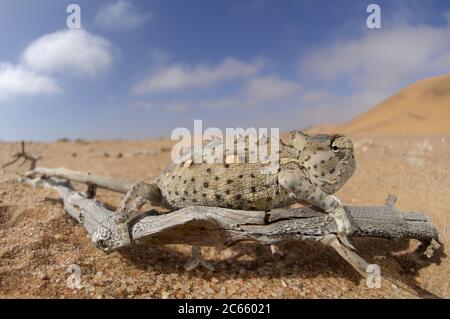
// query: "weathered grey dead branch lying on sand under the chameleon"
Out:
[212,226]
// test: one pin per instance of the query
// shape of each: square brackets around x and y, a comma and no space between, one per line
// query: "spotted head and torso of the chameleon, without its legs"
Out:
[320,171]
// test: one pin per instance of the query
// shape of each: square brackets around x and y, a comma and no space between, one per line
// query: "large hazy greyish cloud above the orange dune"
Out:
[382,60]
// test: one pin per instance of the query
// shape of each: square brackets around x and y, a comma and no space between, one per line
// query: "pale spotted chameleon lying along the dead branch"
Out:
[311,168]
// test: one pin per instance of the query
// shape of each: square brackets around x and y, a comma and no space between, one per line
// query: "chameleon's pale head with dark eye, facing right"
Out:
[329,159]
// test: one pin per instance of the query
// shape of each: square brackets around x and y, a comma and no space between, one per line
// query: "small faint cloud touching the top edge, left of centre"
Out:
[120,15]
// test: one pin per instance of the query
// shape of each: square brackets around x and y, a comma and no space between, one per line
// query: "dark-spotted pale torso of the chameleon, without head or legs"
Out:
[237,186]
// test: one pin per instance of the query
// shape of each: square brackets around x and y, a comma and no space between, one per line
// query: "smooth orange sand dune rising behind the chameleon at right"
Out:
[423,107]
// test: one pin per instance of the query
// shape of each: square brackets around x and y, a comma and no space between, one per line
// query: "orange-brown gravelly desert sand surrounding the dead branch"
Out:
[38,241]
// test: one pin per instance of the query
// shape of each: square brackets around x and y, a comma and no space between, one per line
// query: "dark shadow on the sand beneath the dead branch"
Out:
[300,259]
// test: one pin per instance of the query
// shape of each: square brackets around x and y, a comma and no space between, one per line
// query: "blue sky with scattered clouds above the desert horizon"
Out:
[139,69]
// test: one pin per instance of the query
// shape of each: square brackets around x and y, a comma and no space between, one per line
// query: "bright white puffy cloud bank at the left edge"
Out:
[72,51]
